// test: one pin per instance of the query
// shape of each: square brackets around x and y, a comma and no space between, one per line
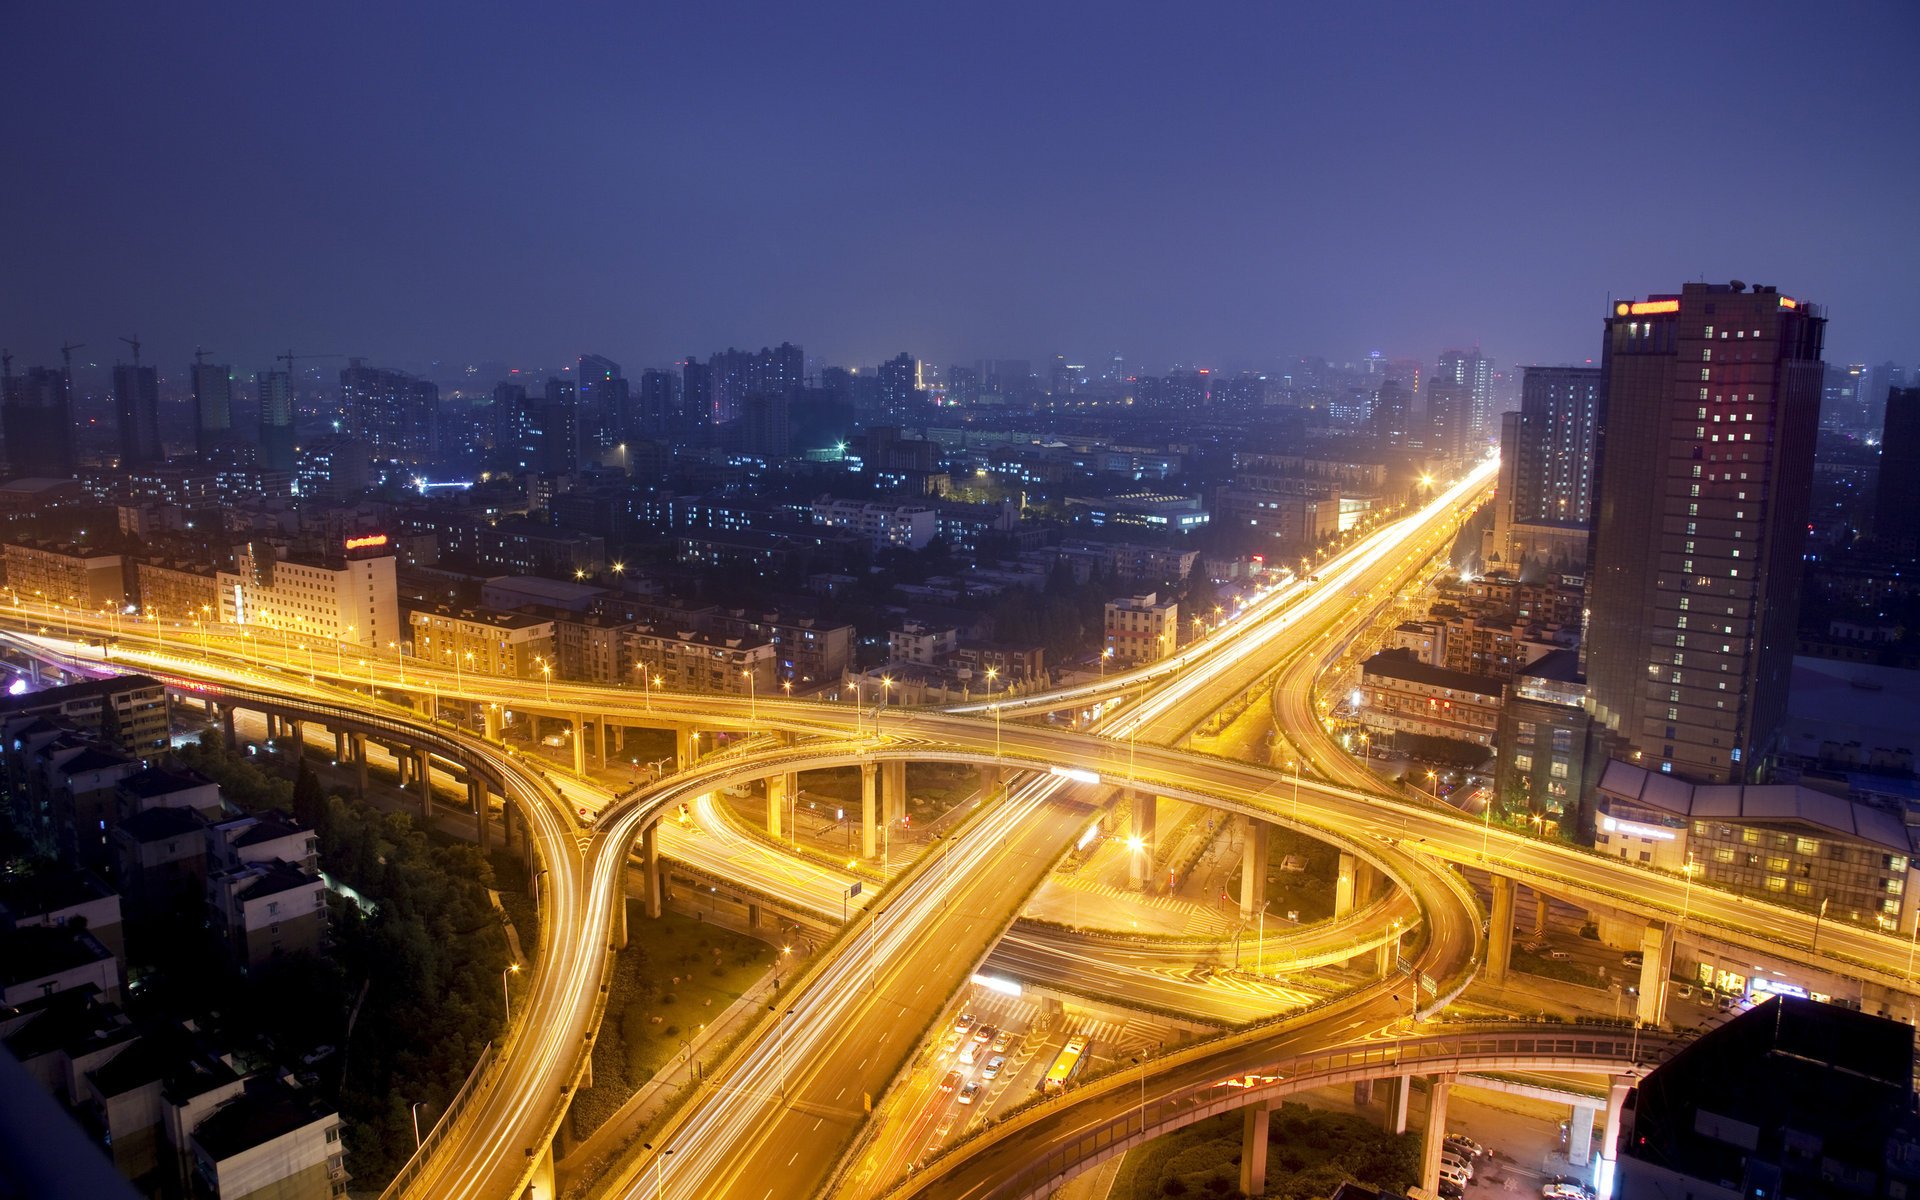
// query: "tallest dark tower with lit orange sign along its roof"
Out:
[1706,466]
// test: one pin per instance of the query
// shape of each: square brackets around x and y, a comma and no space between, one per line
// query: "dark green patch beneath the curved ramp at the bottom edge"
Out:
[1310,1155]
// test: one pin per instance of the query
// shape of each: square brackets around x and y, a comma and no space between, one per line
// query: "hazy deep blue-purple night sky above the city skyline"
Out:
[1214,185]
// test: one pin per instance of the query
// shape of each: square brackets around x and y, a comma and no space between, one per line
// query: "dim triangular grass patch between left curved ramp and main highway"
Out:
[681,971]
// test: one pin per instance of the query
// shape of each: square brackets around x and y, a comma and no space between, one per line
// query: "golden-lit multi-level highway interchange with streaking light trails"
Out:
[867,1005]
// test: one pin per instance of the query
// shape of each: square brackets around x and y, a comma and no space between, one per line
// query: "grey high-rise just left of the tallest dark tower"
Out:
[1547,469]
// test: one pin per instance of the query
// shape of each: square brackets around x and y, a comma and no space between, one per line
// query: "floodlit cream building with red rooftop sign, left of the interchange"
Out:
[348,598]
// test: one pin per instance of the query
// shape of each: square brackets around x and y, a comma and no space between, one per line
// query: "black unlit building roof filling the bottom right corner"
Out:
[1788,1099]
